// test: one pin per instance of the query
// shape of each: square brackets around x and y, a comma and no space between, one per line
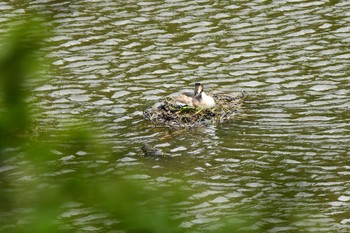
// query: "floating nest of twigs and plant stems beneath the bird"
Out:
[170,114]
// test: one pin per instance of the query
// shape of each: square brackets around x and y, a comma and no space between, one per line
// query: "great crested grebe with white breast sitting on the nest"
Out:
[196,99]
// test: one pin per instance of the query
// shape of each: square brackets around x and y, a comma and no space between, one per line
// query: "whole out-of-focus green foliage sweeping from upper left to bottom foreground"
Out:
[38,186]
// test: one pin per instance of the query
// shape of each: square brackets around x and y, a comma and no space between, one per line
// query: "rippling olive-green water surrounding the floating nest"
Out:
[286,157]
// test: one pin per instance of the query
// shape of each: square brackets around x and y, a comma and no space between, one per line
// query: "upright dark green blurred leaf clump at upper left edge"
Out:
[17,64]
